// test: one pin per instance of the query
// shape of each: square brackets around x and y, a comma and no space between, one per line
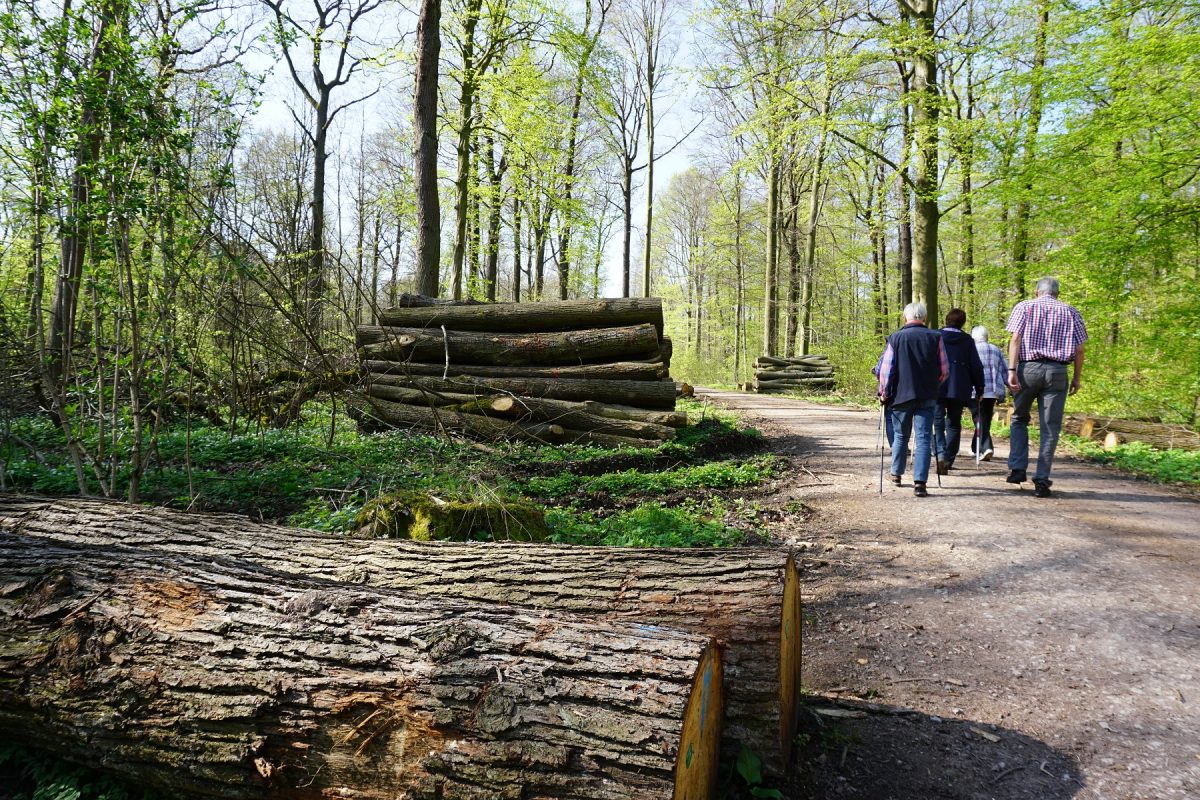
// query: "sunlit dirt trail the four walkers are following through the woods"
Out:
[987,643]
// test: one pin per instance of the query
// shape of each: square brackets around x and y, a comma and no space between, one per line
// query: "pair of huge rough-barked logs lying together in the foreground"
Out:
[209,655]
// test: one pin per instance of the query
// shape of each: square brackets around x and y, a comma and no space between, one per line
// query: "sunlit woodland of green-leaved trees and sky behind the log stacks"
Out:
[164,255]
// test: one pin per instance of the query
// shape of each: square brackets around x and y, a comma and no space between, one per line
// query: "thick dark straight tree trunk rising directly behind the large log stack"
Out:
[425,134]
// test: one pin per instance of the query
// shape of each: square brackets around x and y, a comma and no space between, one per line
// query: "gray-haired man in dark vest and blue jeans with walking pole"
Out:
[913,369]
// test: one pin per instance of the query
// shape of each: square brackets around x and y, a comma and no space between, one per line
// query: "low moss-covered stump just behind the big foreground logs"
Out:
[424,518]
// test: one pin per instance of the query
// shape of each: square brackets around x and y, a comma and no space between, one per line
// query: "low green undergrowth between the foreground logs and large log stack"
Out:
[321,476]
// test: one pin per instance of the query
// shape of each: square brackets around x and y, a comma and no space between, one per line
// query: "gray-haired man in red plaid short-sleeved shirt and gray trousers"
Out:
[1048,335]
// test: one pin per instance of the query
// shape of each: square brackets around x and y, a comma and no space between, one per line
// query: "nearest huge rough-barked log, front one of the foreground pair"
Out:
[226,681]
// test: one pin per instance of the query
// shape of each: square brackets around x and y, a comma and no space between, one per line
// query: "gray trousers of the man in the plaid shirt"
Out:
[1047,383]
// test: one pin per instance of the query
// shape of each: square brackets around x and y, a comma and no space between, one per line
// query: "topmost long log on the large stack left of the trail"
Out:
[532,317]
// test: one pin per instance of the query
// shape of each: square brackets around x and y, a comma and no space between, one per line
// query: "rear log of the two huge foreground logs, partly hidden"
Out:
[747,598]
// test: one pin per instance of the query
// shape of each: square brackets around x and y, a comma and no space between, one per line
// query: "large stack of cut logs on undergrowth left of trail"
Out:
[574,371]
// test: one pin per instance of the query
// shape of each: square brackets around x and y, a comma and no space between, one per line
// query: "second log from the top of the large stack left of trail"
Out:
[506,350]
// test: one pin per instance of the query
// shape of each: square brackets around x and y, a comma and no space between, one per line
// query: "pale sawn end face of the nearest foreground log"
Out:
[697,763]
